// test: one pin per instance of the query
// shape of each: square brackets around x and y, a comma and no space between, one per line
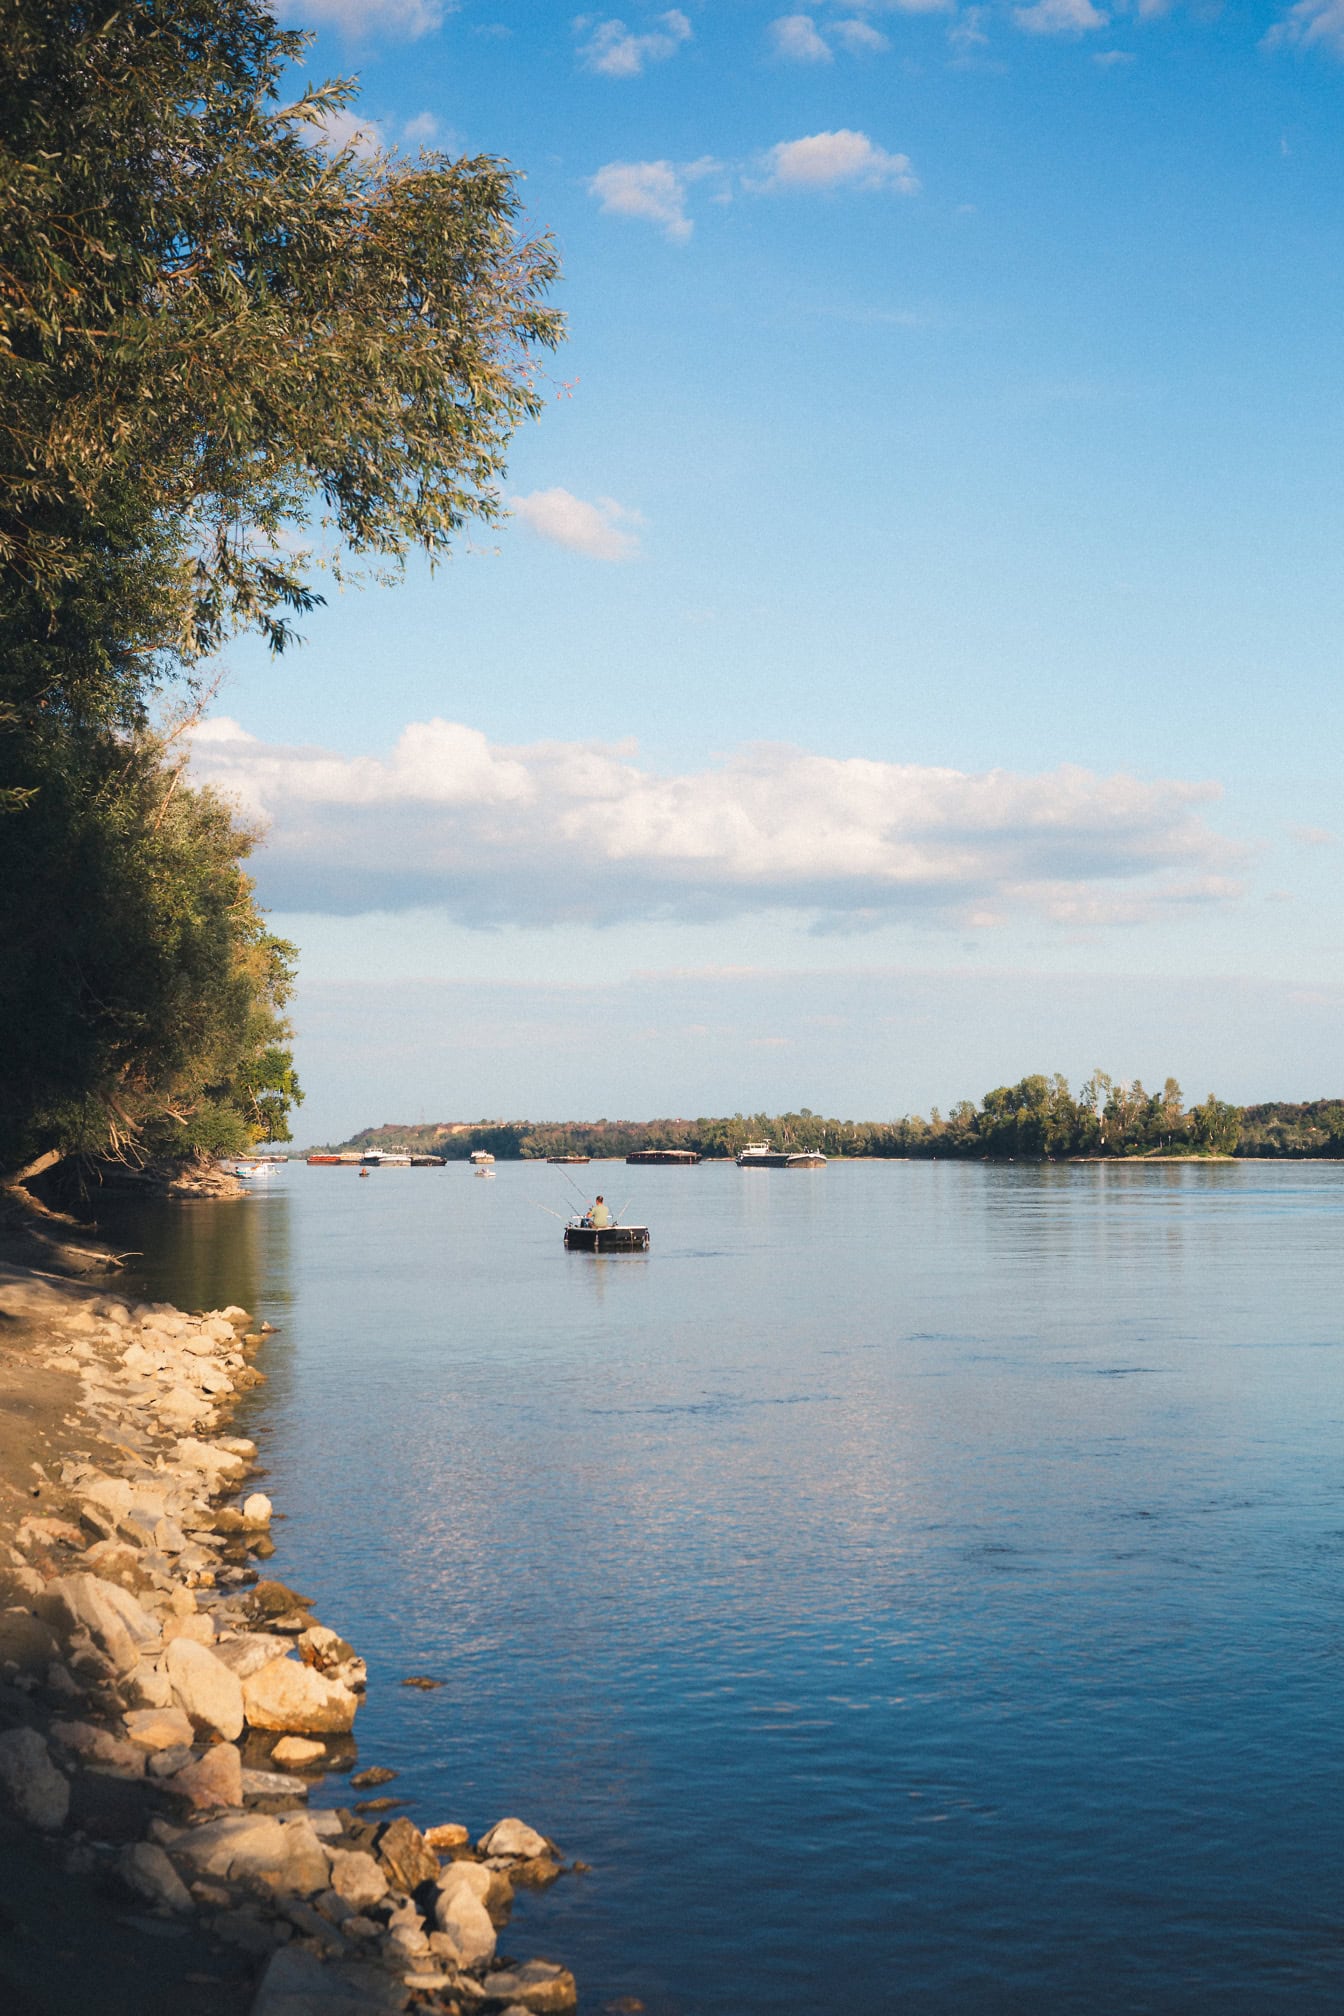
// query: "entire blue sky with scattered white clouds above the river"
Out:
[914,654]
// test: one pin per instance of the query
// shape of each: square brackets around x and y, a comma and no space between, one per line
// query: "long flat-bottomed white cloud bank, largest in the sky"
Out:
[585,832]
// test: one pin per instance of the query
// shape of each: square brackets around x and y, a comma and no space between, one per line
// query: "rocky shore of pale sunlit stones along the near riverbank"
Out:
[166,1711]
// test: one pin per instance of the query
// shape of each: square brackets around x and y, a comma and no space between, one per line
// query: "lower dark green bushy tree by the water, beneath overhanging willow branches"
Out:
[142,993]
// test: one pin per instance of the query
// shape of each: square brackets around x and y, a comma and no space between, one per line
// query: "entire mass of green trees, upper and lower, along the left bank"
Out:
[233,352]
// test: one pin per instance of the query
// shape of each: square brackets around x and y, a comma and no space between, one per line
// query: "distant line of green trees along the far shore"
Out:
[1037,1120]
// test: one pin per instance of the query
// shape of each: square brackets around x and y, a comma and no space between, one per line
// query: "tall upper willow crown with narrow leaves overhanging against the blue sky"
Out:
[231,352]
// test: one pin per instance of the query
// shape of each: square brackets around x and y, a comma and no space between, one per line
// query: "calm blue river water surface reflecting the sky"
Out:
[908,1586]
